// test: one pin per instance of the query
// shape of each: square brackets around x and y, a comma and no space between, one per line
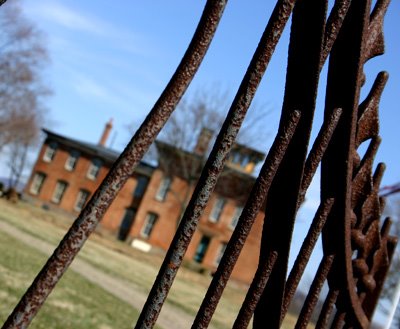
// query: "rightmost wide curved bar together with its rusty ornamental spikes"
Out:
[356,214]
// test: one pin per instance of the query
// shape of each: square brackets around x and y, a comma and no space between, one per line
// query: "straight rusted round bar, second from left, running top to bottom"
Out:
[215,163]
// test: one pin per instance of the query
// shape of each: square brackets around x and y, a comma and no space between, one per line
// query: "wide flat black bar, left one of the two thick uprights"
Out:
[308,21]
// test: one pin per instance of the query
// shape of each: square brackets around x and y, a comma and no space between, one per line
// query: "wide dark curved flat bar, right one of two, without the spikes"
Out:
[345,77]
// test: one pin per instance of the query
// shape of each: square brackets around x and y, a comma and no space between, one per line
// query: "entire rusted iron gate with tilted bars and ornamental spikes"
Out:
[356,248]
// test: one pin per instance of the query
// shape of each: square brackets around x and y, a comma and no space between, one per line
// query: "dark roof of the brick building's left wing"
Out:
[107,155]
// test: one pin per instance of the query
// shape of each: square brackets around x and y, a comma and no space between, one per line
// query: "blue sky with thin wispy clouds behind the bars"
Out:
[112,60]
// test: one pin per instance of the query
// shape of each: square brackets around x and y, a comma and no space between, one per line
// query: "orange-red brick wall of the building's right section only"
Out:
[220,232]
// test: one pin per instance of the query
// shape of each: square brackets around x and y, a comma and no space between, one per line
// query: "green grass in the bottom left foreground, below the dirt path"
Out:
[75,302]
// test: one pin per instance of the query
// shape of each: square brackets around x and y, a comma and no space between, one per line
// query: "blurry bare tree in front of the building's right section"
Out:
[196,121]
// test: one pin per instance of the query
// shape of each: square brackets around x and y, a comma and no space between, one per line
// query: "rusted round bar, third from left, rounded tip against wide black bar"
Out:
[246,220]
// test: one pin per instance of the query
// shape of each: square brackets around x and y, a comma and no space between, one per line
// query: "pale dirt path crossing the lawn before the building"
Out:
[170,316]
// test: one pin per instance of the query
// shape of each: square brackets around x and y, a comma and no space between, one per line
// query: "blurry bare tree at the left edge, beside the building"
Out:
[22,91]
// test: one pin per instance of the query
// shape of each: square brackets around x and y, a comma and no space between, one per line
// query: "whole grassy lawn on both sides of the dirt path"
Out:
[77,303]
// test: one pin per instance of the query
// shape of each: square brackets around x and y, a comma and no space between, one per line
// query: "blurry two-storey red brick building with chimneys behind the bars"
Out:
[147,210]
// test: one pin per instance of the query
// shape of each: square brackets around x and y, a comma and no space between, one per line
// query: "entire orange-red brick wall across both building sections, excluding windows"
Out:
[168,211]
